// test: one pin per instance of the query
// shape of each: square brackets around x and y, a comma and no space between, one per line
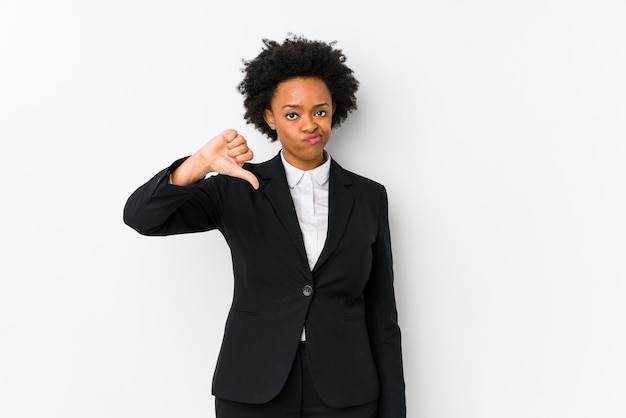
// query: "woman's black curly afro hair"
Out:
[296,57]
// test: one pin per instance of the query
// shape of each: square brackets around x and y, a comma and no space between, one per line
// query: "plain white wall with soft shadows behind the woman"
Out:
[499,129]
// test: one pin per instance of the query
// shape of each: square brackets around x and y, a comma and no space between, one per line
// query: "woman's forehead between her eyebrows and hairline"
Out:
[300,91]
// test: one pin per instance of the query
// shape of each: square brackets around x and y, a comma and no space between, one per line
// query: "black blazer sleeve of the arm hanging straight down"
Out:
[382,322]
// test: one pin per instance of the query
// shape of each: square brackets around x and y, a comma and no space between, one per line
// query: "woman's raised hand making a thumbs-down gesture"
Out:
[224,154]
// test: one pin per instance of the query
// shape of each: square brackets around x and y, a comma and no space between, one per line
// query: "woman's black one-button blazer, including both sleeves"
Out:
[346,302]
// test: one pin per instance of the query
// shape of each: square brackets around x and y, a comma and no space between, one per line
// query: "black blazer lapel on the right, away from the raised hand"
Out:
[340,202]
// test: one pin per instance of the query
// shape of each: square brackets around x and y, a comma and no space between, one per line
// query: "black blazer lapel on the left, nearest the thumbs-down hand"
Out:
[274,185]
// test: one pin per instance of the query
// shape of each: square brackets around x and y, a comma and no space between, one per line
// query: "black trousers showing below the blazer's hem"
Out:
[298,399]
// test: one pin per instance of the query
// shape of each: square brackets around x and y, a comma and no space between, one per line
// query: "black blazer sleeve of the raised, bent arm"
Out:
[161,208]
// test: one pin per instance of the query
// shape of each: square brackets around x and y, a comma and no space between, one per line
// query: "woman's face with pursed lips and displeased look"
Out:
[301,114]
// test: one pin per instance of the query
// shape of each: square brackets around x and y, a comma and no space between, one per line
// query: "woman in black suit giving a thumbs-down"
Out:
[312,331]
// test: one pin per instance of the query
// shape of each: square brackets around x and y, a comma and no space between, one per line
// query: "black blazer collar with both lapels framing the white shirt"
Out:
[340,201]
